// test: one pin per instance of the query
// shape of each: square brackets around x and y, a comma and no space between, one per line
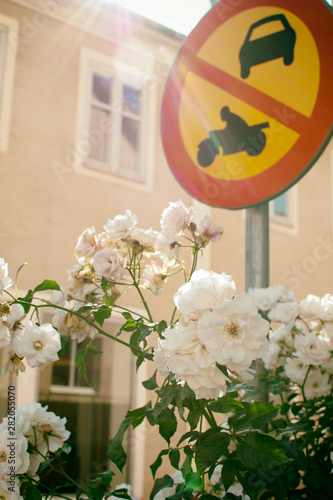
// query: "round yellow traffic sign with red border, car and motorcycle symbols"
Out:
[248,104]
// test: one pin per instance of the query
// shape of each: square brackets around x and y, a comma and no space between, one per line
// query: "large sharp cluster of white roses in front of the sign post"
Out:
[216,327]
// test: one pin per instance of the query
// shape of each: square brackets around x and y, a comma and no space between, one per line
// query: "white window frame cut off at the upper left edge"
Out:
[8,49]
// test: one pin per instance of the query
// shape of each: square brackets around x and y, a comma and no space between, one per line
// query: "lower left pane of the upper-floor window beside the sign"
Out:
[100,121]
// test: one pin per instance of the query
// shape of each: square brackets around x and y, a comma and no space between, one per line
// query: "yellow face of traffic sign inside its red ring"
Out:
[210,109]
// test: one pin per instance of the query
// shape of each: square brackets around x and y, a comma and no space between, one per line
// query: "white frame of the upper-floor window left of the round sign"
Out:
[93,62]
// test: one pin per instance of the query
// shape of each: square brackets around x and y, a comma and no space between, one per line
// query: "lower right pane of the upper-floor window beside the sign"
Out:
[130,145]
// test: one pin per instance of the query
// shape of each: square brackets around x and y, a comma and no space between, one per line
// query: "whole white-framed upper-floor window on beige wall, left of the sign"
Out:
[116,115]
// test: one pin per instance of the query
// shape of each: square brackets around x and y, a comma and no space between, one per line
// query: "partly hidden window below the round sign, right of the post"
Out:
[283,210]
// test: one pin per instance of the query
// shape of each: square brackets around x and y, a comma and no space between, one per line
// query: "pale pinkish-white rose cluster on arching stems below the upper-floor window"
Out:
[118,251]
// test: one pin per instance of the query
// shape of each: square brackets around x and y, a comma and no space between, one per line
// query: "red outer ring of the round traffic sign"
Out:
[236,194]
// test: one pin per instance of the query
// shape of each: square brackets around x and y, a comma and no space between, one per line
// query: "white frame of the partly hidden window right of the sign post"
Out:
[286,223]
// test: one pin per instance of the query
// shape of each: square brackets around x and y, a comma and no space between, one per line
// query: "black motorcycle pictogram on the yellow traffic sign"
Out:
[236,137]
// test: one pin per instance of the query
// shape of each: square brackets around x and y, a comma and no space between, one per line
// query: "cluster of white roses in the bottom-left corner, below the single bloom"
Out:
[37,433]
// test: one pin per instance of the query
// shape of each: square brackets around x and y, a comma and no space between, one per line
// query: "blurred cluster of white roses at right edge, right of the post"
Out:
[303,340]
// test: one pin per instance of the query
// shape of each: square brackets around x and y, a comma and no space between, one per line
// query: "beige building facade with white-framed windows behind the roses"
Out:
[81,90]
